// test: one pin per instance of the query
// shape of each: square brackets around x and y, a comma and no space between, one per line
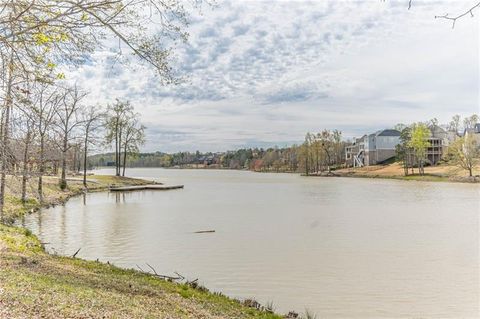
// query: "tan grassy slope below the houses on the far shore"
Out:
[439,173]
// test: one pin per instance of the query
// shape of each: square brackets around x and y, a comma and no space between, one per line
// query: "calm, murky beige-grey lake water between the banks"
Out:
[343,248]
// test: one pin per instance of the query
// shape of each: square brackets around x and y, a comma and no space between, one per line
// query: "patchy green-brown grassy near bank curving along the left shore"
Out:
[34,284]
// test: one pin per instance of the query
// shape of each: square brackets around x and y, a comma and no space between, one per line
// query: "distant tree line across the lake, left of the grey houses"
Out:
[320,151]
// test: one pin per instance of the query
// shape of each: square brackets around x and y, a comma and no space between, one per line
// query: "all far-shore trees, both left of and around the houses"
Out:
[322,152]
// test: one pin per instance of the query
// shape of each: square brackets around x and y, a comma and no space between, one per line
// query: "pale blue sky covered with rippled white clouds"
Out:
[263,73]
